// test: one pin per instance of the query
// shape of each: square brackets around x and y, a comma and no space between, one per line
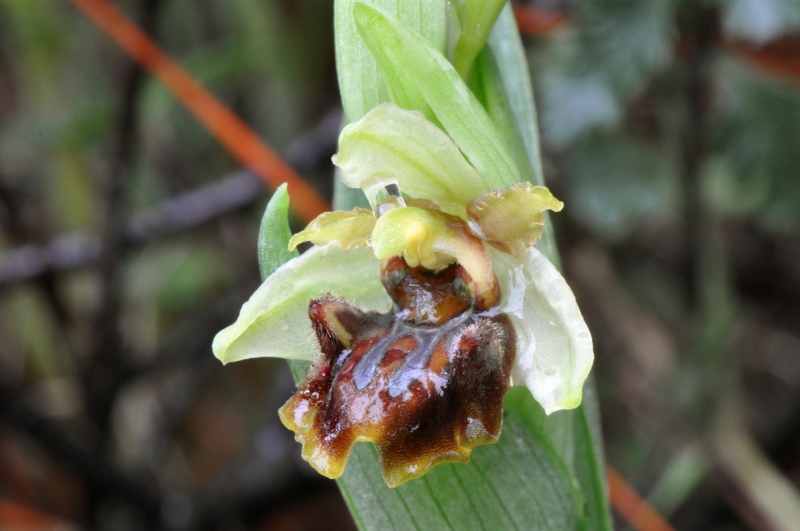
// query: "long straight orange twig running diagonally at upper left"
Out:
[228,128]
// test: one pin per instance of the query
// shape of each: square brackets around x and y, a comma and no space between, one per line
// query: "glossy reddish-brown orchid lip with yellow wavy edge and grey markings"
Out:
[424,383]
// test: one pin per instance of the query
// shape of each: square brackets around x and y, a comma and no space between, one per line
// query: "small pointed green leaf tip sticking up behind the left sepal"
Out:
[274,234]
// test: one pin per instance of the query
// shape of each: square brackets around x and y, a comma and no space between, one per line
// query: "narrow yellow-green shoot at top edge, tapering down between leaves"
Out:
[476,18]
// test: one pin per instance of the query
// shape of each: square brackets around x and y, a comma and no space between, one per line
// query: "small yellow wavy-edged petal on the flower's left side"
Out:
[349,228]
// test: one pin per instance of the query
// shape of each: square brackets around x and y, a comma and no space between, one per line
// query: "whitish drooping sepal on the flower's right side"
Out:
[554,346]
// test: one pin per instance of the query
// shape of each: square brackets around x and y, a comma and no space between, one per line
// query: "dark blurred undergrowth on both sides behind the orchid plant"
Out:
[671,130]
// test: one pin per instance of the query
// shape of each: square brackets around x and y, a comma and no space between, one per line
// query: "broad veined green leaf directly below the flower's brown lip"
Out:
[518,483]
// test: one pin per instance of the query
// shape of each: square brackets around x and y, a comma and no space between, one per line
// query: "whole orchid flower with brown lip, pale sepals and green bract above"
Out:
[420,312]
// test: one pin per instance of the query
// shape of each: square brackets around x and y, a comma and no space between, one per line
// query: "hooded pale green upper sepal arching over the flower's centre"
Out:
[403,145]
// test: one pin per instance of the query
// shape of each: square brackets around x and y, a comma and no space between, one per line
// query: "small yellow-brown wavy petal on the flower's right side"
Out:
[511,219]
